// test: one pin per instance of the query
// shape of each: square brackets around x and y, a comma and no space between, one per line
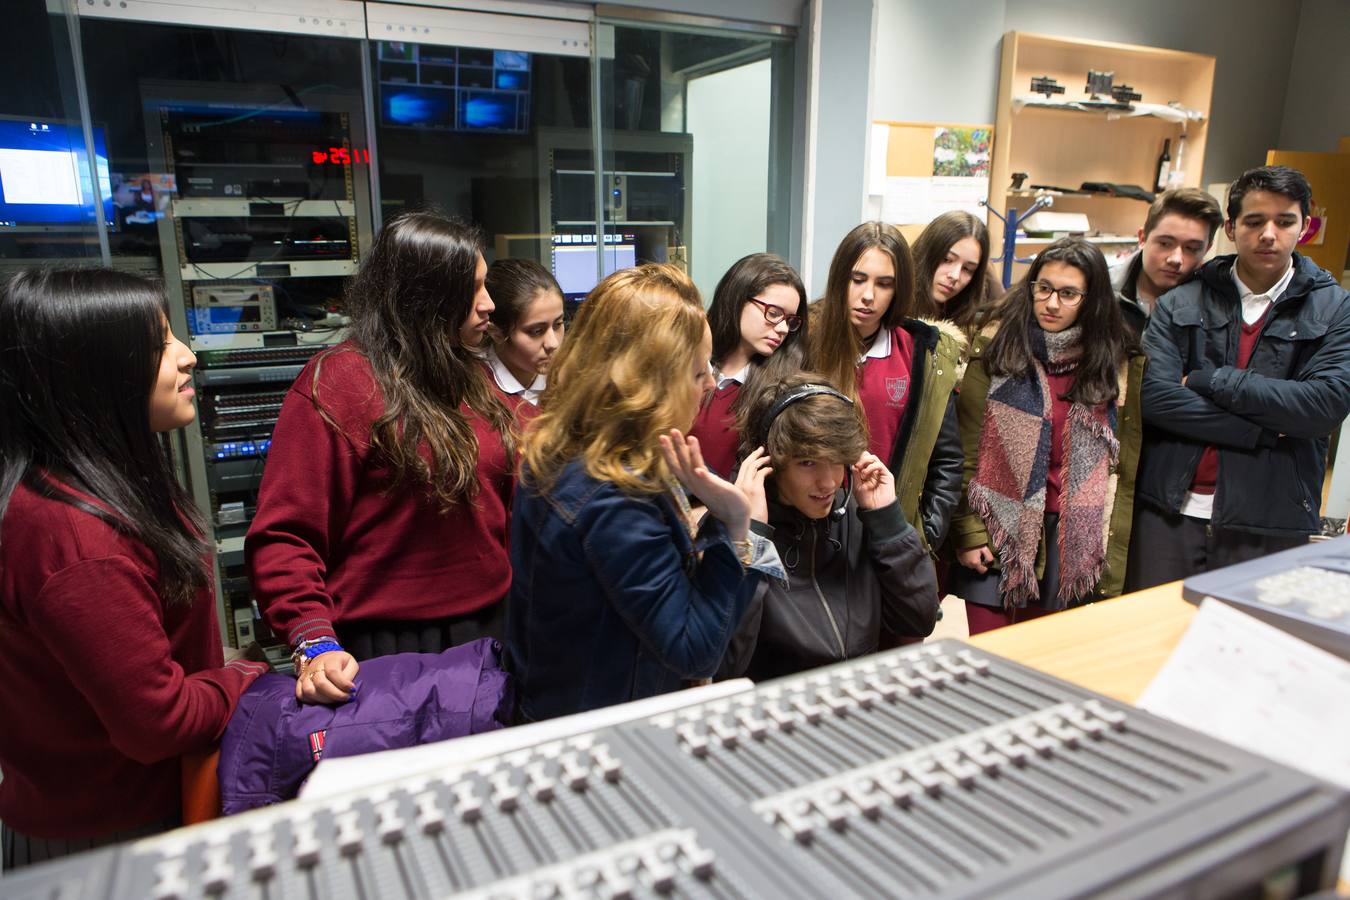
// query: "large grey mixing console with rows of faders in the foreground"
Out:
[935,771]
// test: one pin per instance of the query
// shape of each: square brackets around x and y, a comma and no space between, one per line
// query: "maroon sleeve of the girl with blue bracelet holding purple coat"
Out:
[313,478]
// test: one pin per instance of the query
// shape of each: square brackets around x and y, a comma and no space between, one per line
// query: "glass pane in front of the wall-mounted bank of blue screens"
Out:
[499,134]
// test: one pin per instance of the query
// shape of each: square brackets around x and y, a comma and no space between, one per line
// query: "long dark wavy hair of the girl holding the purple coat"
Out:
[408,303]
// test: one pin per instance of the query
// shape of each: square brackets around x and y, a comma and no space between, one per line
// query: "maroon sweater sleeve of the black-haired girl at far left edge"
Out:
[121,659]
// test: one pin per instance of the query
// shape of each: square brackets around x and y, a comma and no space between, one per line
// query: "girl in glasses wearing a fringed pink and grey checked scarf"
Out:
[1051,424]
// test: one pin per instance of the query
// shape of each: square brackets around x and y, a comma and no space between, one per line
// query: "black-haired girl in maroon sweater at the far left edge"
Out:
[111,666]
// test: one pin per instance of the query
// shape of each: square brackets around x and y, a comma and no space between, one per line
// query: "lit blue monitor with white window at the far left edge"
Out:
[45,183]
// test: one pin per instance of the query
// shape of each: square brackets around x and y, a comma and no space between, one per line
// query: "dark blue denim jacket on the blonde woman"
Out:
[610,598]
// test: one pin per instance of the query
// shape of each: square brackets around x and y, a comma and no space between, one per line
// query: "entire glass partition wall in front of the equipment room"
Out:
[249,169]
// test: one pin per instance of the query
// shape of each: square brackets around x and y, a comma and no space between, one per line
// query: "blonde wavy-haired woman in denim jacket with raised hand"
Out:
[616,593]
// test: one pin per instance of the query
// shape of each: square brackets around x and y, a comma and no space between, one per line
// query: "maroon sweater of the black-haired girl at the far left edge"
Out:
[102,685]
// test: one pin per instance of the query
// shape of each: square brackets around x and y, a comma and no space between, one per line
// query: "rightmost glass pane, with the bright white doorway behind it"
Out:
[692,149]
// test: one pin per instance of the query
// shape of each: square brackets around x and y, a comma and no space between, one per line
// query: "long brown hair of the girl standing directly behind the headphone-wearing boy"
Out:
[835,345]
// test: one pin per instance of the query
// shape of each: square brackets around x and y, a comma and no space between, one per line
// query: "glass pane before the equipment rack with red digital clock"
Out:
[240,171]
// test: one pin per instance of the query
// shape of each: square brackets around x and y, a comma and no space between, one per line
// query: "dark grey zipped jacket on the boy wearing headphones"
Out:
[846,580]
